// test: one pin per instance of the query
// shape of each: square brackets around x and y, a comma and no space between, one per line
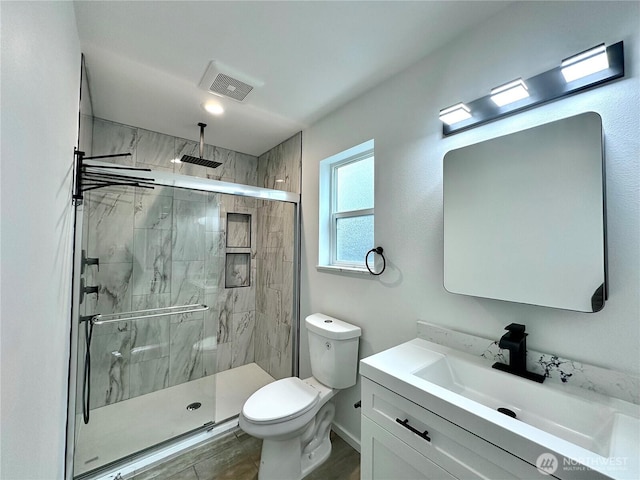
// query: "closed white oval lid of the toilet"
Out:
[280,400]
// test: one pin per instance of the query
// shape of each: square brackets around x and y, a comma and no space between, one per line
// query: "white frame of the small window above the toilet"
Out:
[328,216]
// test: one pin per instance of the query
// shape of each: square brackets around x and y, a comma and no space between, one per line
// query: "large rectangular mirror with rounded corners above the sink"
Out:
[524,216]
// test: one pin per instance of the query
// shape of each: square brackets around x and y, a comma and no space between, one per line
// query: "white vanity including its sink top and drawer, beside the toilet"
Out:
[430,411]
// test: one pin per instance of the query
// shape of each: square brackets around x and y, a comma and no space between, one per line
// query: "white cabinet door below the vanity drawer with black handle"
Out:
[385,457]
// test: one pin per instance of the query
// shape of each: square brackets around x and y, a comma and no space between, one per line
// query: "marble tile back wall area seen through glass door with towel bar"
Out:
[157,249]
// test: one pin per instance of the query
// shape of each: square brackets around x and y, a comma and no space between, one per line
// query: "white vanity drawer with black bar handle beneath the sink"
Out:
[459,452]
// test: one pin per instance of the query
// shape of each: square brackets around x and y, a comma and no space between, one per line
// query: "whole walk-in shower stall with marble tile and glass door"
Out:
[185,293]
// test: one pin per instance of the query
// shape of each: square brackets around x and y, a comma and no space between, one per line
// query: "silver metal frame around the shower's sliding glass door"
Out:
[167,179]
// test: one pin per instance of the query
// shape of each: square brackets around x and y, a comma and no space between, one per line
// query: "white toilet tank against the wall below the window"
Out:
[333,346]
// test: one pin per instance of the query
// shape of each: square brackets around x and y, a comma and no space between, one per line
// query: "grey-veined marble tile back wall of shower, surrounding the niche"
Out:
[159,248]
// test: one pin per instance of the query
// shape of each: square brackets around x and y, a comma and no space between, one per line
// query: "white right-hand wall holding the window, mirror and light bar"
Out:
[402,115]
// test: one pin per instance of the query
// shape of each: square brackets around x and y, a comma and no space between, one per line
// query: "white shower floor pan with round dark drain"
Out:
[121,429]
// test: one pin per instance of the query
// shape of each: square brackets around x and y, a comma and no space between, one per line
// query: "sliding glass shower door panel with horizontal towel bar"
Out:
[151,373]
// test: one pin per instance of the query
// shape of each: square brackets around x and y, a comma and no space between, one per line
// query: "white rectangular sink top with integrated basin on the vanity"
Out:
[574,423]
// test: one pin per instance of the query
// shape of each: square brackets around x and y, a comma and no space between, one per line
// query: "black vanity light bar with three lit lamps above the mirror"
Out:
[583,71]
